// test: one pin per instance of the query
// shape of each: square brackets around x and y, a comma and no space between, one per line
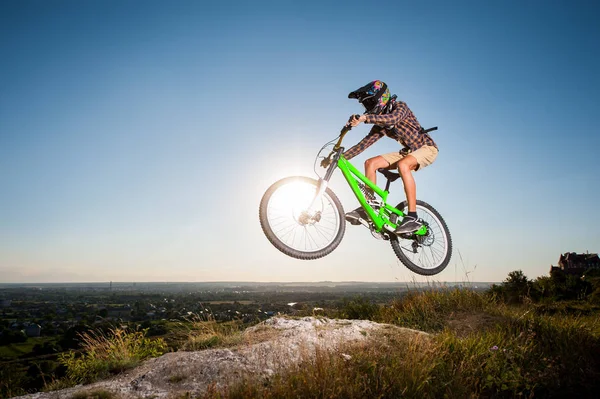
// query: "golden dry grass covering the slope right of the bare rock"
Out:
[503,352]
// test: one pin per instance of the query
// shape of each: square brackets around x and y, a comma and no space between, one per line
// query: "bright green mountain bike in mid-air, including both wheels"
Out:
[304,219]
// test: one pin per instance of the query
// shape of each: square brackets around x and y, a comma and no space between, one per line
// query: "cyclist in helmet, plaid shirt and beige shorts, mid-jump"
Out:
[394,119]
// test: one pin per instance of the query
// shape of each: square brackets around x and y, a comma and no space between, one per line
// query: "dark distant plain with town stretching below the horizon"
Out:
[50,310]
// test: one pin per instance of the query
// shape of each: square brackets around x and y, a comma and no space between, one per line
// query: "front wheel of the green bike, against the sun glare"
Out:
[294,229]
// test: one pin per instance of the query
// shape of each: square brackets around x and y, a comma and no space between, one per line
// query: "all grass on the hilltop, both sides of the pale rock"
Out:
[501,343]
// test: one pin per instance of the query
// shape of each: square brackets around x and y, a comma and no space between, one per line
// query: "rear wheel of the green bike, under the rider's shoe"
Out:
[426,255]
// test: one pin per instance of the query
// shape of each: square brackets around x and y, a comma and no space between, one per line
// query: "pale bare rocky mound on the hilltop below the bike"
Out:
[268,348]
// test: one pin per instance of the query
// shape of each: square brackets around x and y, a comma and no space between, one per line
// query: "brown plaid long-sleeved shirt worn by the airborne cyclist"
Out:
[400,125]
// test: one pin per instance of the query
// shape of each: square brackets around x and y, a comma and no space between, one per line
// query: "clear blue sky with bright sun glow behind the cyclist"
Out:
[137,137]
